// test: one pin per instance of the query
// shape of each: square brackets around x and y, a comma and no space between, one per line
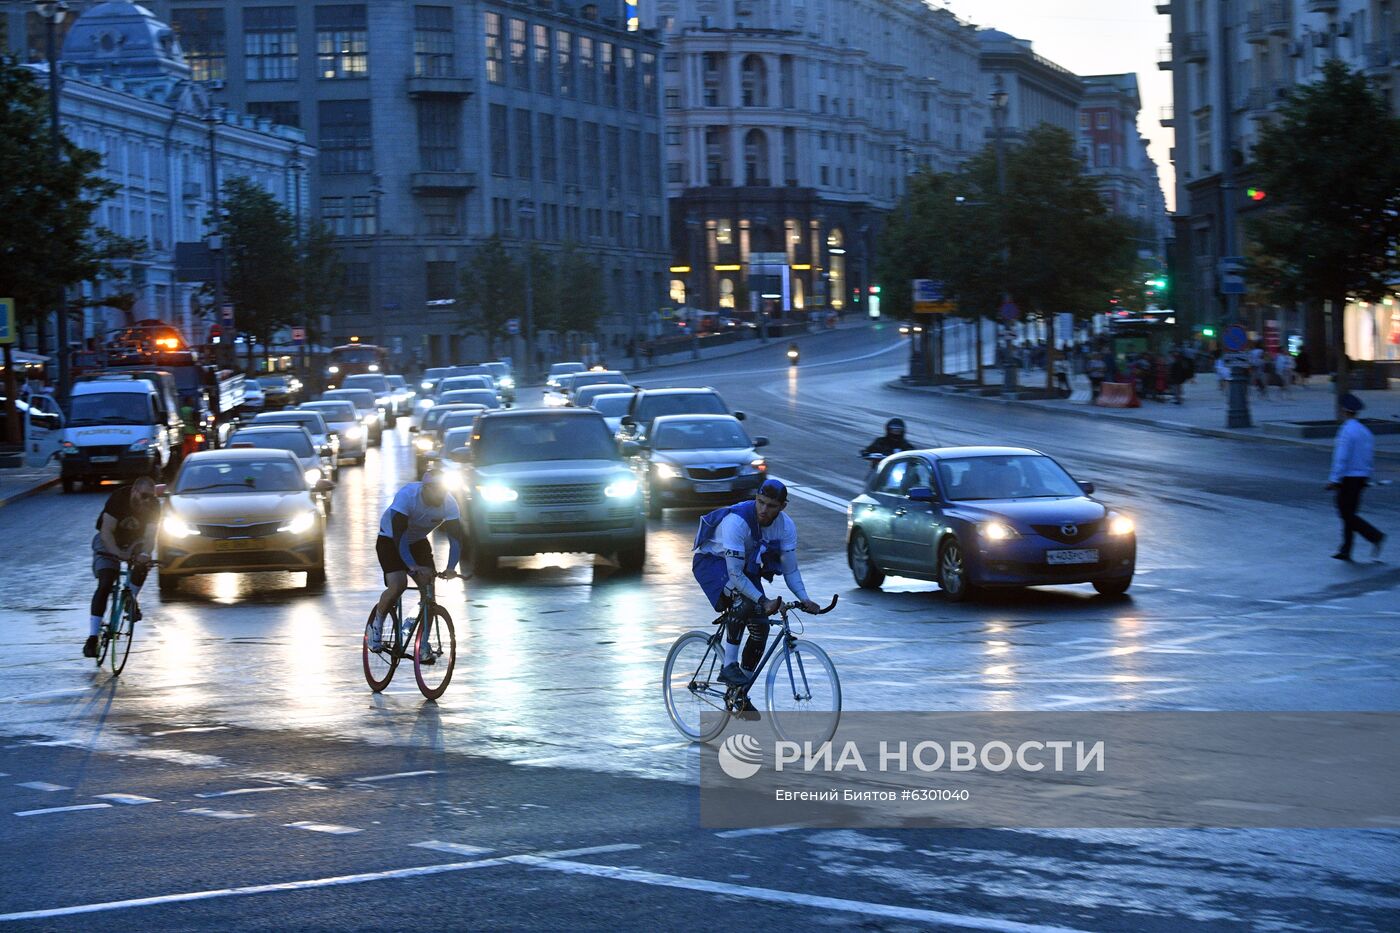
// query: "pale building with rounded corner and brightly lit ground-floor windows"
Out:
[792,130]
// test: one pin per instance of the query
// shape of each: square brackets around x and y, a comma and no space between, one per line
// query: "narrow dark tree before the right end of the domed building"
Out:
[264,275]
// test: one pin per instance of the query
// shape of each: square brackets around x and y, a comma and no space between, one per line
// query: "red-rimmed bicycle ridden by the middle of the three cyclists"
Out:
[432,669]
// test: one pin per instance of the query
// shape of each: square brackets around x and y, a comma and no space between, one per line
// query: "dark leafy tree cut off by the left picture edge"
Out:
[50,242]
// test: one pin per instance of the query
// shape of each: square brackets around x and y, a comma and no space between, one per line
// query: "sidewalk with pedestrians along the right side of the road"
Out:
[1205,408]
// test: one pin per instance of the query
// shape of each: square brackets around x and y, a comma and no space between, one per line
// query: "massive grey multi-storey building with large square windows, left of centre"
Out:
[442,124]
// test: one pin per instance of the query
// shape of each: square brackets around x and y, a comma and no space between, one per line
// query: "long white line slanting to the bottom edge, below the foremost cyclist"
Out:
[793,899]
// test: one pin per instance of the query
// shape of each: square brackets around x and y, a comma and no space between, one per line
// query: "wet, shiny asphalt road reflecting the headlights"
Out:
[548,788]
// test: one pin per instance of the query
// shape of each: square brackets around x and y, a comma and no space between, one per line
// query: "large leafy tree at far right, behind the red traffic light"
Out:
[1333,183]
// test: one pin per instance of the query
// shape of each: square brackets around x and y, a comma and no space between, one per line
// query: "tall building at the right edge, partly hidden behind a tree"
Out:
[1231,64]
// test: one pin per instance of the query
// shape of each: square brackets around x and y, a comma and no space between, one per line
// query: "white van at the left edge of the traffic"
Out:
[118,429]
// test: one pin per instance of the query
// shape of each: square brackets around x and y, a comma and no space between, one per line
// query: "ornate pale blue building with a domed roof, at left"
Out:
[128,95]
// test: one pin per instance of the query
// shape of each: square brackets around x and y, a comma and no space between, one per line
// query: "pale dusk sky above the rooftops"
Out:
[1095,37]
